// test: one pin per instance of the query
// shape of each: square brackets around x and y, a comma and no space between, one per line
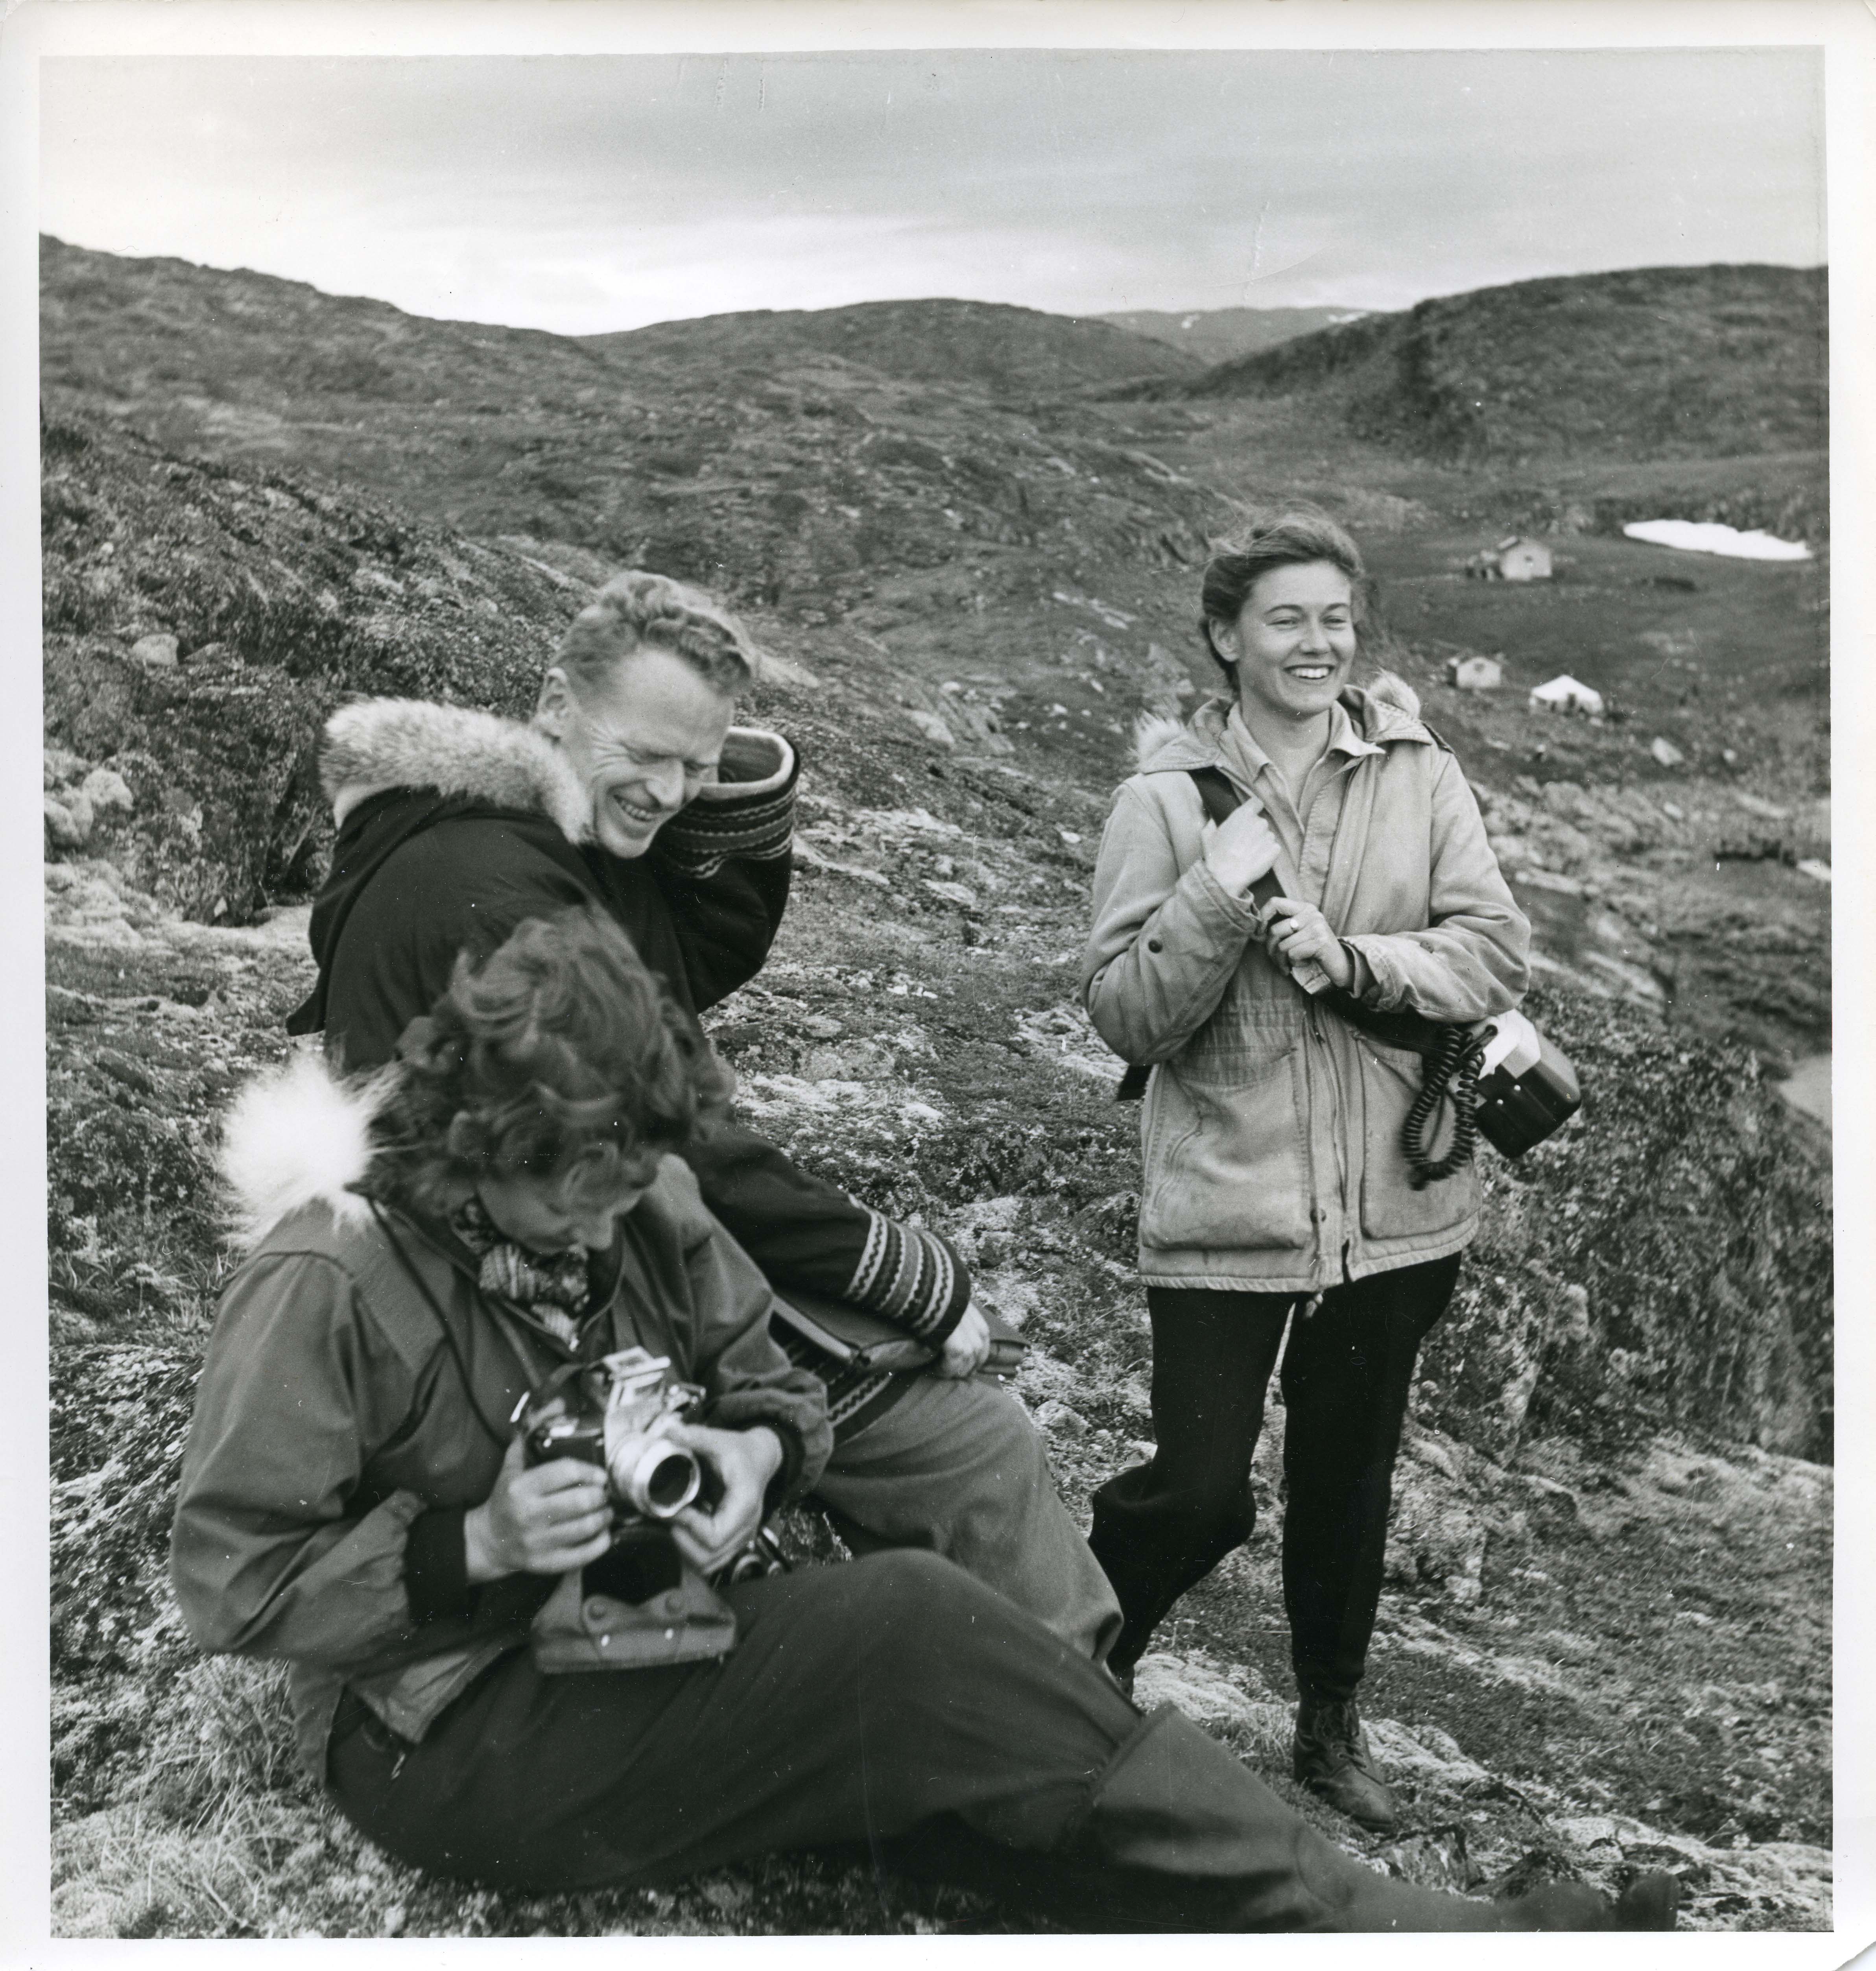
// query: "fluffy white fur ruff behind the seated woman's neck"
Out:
[299,1138]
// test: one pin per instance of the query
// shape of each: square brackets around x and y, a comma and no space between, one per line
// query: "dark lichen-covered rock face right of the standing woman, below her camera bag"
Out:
[1688,1215]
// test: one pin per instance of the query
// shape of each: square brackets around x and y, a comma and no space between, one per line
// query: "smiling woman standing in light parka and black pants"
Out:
[1276,1191]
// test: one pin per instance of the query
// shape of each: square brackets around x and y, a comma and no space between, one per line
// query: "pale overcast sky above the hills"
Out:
[584,194]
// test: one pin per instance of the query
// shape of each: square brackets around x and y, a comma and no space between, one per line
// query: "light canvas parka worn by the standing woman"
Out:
[1272,1128]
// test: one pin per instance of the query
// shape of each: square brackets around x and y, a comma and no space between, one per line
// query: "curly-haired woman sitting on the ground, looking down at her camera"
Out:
[435,1245]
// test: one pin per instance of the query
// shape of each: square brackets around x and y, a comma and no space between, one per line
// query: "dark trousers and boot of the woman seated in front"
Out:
[892,1702]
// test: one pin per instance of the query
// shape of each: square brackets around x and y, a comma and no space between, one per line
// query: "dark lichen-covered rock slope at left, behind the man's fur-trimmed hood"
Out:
[212,760]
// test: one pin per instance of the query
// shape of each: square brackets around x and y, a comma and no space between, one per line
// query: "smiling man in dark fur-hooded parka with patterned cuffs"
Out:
[634,791]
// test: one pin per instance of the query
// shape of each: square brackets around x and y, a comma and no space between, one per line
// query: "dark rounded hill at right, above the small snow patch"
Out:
[1648,364]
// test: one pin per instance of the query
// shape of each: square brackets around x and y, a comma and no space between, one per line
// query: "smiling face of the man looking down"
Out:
[643,742]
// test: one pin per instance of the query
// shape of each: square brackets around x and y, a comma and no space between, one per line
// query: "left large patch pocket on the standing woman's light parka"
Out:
[1227,1152]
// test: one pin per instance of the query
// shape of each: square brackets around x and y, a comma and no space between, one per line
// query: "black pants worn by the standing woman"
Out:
[1347,1375]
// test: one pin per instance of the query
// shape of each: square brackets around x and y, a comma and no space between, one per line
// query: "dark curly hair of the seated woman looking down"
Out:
[561,1055]
